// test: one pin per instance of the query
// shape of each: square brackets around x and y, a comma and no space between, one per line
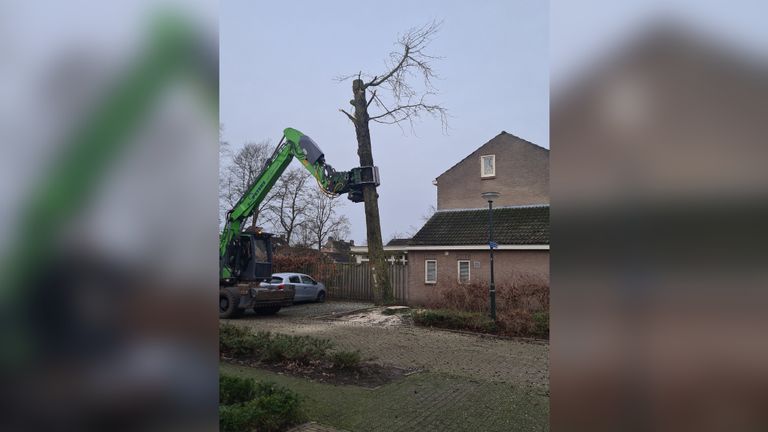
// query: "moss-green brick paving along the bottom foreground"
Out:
[421,402]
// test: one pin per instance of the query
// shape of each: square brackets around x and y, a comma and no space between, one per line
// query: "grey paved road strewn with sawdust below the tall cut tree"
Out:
[392,341]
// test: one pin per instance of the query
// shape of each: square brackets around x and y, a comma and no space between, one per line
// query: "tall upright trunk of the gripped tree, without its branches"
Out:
[382,292]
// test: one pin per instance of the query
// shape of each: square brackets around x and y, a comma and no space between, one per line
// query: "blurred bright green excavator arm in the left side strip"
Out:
[174,52]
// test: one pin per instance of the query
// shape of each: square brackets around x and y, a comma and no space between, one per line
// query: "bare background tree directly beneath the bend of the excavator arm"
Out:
[287,210]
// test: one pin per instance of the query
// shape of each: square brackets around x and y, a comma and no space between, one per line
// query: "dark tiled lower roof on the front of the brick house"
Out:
[521,225]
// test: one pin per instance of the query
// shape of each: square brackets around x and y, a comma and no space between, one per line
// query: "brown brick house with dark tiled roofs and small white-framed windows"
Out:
[452,246]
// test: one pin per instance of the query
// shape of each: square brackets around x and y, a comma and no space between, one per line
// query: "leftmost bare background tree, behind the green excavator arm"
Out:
[242,170]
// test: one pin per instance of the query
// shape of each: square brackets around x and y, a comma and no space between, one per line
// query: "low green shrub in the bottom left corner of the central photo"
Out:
[266,407]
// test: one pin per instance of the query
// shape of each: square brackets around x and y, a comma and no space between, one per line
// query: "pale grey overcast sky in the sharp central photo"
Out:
[278,61]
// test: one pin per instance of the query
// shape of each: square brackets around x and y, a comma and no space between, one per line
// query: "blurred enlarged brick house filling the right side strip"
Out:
[660,197]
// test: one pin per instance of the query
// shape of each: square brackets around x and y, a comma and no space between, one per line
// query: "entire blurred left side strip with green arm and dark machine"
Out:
[108,225]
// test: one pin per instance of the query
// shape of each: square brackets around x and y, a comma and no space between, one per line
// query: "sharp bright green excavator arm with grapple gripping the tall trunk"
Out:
[294,144]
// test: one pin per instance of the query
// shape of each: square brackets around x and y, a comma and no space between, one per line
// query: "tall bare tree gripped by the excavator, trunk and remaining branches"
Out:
[391,98]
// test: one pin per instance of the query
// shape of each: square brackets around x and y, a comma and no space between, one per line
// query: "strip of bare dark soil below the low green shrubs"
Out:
[368,375]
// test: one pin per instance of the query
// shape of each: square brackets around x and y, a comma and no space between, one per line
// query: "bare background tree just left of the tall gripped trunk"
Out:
[322,220]
